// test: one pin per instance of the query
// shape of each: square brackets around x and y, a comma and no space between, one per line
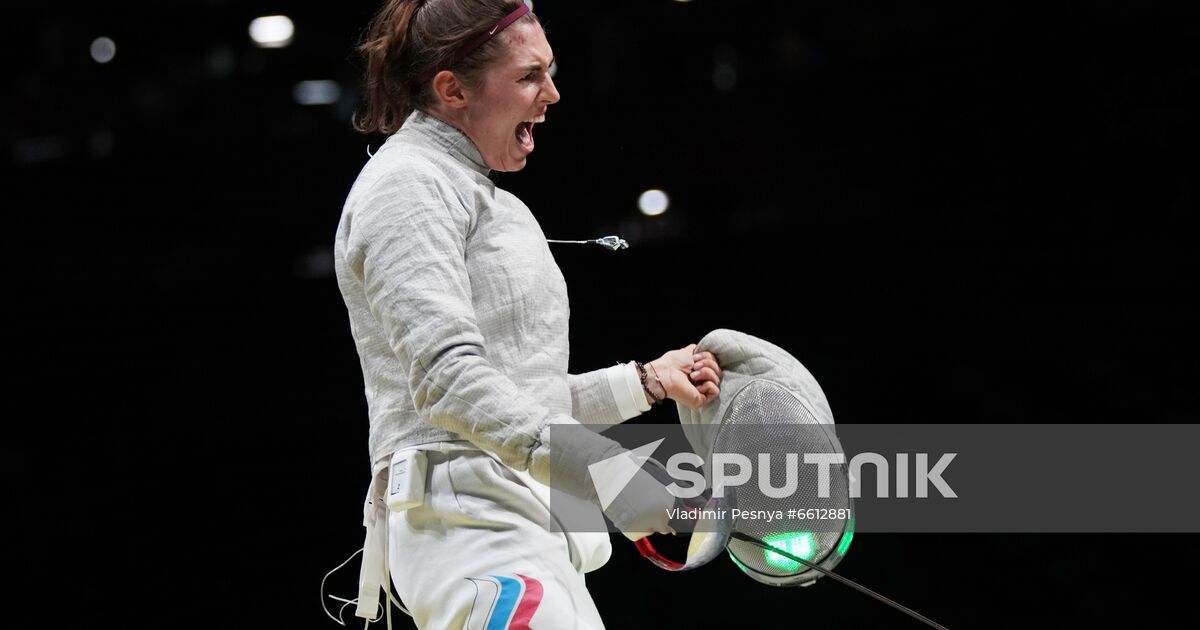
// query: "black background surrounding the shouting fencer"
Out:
[951,213]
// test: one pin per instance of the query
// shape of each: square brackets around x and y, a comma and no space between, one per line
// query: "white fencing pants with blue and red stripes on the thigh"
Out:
[479,555]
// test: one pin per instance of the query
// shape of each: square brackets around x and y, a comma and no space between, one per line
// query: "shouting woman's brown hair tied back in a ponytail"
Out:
[410,38]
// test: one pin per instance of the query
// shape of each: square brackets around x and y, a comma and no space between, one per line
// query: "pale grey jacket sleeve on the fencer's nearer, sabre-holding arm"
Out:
[407,245]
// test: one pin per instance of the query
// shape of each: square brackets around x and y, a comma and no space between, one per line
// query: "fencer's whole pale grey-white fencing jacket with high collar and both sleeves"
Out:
[460,314]
